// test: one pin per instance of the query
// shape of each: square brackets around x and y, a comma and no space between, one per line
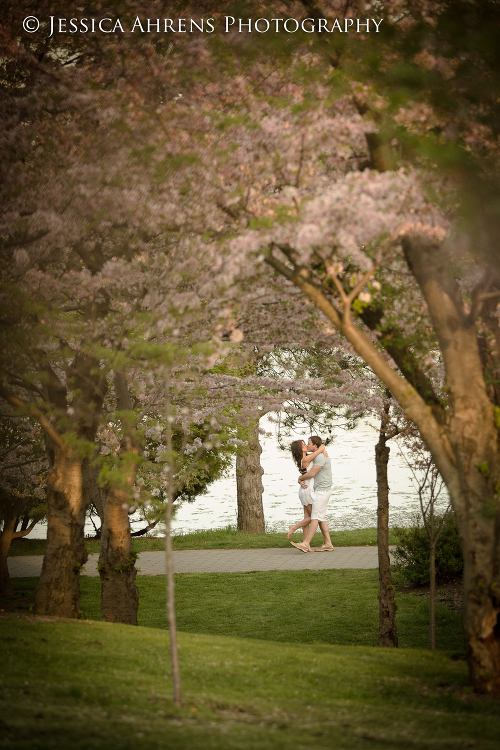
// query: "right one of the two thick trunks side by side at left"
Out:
[119,595]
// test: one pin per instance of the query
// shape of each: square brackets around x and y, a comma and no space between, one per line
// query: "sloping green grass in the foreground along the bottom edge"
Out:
[97,686]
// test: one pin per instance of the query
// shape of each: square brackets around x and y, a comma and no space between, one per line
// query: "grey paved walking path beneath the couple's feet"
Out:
[222,561]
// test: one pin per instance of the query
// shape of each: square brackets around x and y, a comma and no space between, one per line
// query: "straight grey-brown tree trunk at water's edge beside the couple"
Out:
[249,486]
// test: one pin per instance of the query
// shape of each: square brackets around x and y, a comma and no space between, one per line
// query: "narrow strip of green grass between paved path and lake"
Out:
[227,538]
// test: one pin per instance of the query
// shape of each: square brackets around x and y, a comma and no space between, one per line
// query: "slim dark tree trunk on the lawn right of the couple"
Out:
[388,634]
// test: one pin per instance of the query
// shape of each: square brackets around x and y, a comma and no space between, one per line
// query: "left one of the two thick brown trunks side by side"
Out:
[57,592]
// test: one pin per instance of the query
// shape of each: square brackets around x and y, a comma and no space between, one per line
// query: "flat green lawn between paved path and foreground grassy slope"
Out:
[305,606]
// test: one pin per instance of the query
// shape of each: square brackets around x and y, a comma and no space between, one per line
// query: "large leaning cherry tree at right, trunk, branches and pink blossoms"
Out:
[384,256]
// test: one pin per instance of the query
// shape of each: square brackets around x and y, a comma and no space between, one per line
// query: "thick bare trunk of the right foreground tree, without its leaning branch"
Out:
[474,482]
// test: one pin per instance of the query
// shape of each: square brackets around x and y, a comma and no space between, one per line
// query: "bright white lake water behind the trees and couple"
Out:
[353,504]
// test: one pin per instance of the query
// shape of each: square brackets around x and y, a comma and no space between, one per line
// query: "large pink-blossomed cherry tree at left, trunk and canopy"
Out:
[84,240]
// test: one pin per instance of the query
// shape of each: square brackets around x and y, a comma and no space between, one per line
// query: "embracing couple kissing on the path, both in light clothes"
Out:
[316,469]
